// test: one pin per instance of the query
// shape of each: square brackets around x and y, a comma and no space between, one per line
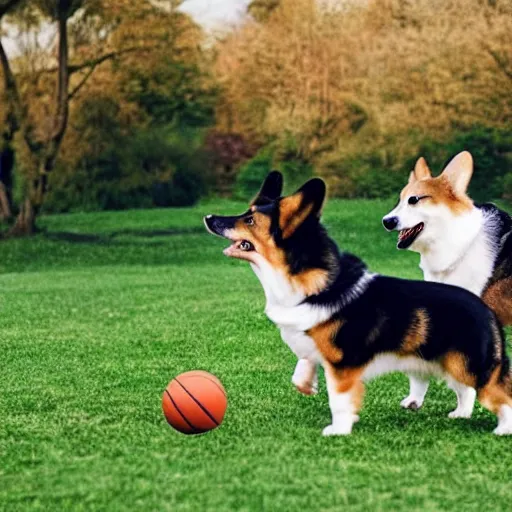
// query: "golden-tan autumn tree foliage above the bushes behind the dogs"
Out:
[350,77]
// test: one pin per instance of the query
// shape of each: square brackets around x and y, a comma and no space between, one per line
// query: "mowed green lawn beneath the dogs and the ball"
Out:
[102,310]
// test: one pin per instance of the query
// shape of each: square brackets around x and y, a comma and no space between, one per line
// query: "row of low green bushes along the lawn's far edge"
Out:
[154,168]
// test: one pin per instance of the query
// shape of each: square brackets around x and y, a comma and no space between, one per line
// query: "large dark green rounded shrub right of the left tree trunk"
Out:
[144,170]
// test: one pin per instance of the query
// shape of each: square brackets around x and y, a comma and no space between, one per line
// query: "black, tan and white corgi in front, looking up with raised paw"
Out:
[333,312]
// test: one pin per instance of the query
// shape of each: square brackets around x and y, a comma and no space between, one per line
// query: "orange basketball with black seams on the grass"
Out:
[194,402]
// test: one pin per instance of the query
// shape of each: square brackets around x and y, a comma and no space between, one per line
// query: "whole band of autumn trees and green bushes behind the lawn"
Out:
[140,108]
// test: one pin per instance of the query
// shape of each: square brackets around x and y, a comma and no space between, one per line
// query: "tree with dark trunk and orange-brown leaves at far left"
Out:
[38,95]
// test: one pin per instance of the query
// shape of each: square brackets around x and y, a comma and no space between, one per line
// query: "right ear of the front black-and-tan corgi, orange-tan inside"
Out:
[295,209]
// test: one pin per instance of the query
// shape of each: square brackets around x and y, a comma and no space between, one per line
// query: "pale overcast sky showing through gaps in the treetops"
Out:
[213,15]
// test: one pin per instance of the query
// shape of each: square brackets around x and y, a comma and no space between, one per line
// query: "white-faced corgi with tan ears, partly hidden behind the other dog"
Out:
[460,243]
